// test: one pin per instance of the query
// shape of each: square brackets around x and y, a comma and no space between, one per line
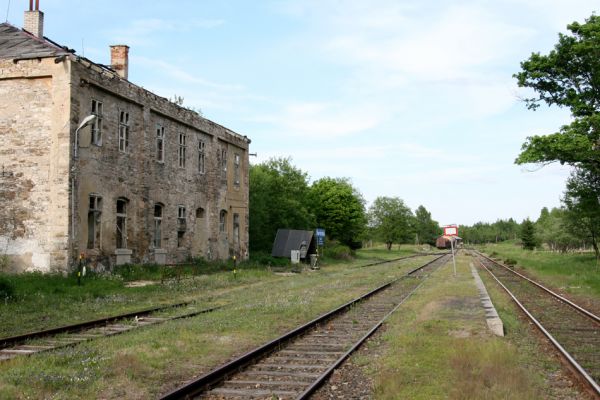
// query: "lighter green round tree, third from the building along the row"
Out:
[391,220]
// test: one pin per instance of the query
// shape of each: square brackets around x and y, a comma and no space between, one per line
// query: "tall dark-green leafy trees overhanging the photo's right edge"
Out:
[569,76]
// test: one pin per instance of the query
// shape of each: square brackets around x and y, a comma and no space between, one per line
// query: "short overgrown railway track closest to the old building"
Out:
[70,335]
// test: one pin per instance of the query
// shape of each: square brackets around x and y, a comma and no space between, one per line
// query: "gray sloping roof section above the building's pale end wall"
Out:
[16,43]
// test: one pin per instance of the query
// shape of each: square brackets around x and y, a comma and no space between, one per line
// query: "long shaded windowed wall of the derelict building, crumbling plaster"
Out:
[137,176]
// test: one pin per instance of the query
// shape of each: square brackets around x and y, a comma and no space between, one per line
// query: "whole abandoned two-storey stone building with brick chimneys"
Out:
[92,163]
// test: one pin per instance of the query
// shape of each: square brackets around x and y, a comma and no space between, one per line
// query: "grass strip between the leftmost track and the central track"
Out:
[147,362]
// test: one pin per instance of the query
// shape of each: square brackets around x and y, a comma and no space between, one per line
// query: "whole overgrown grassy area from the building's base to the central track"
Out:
[147,362]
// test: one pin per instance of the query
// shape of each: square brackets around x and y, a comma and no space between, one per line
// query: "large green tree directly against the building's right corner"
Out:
[278,199]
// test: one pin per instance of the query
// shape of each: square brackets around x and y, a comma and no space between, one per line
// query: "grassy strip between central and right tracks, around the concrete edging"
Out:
[437,346]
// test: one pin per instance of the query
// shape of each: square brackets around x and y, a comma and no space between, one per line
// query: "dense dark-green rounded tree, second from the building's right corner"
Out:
[340,209]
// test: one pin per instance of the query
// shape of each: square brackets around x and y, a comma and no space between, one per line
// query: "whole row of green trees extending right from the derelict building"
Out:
[281,197]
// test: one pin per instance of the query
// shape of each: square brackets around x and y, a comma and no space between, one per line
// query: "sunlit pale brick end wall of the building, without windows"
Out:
[33,165]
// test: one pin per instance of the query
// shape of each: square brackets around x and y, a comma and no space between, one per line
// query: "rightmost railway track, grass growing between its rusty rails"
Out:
[574,331]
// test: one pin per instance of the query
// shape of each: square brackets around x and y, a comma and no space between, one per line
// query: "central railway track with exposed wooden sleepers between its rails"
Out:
[294,365]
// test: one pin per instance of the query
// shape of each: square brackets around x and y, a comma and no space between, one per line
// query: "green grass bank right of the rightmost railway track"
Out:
[574,273]
